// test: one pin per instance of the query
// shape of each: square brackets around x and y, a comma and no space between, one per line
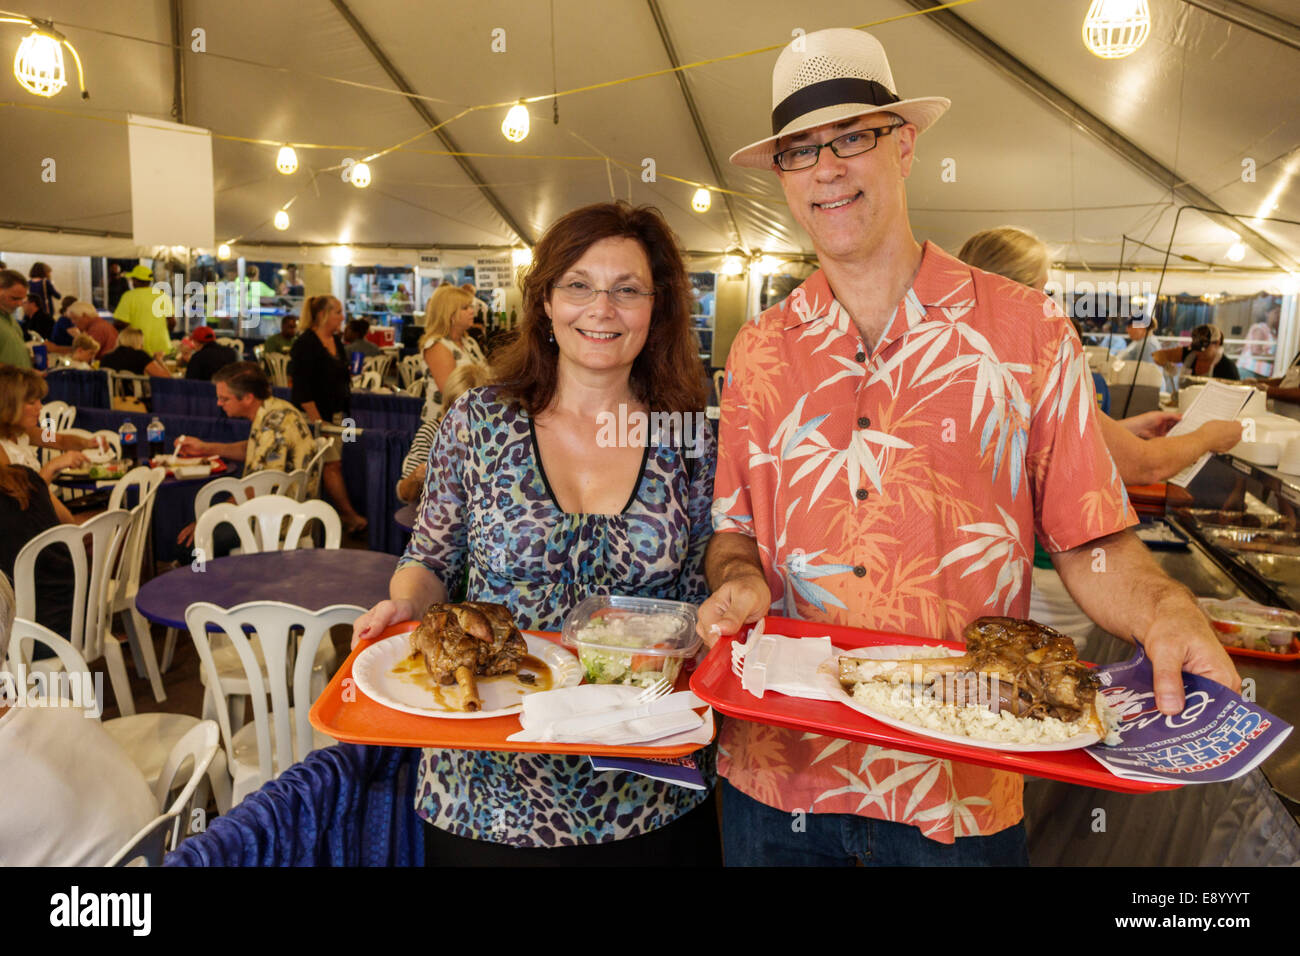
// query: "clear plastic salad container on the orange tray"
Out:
[631,641]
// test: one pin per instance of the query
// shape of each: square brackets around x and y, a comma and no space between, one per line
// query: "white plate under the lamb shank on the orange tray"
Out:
[375,678]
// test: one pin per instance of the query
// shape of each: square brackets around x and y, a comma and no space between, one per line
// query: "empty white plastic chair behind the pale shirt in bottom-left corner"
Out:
[150,741]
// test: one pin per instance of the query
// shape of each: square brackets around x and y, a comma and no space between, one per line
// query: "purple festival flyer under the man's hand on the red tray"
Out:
[1217,737]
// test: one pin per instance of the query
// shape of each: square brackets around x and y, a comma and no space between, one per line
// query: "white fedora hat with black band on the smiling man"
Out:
[833,76]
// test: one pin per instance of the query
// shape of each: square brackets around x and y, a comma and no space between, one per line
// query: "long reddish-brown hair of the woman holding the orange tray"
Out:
[668,375]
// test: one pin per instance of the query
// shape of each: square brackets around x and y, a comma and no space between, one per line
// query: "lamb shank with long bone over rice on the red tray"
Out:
[1034,669]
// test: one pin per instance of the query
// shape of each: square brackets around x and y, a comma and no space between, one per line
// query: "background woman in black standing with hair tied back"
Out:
[323,390]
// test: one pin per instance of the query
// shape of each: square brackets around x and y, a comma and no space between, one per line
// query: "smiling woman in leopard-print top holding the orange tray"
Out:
[528,494]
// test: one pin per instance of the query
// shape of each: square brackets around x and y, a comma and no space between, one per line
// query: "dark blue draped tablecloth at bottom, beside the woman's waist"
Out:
[346,806]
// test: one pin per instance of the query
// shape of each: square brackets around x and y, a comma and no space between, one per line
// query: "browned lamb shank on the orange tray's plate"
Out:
[463,642]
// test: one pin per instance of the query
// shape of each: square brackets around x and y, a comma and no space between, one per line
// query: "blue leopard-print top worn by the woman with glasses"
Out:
[488,507]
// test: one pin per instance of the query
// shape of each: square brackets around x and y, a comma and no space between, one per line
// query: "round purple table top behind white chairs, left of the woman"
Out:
[313,579]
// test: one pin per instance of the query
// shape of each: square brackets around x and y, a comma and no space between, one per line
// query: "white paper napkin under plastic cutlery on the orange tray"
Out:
[544,711]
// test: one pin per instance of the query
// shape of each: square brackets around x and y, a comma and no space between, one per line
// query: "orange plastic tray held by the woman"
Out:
[363,721]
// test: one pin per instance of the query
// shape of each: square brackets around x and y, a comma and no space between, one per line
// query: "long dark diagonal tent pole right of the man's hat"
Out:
[1098,128]
